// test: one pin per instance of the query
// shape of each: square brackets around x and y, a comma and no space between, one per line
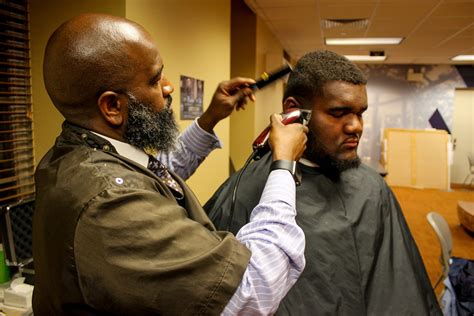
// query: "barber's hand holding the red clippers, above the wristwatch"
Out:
[288,142]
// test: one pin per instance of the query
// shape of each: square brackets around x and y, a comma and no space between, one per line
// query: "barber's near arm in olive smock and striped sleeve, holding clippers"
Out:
[154,252]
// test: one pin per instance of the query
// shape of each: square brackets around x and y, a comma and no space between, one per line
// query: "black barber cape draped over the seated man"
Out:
[361,258]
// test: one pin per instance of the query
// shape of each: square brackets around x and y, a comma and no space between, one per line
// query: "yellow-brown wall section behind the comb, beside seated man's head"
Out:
[254,50]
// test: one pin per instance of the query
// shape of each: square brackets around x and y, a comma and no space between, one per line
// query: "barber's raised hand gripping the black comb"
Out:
[229,94]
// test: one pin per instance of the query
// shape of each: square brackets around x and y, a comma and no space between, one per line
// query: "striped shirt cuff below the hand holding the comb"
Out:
[200,141]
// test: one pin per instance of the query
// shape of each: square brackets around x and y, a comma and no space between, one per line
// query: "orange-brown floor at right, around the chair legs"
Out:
[416,204]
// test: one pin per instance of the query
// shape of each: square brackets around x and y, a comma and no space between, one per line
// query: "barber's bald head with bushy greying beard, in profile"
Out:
[104,73]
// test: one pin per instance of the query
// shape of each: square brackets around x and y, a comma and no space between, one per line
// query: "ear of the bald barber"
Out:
[113,107]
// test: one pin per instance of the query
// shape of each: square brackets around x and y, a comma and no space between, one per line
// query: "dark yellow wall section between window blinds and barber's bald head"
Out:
[45,17]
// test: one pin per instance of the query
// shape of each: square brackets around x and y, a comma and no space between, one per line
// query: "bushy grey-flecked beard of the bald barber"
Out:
[149,130]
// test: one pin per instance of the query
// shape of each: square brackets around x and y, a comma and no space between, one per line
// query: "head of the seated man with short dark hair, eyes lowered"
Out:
[335,90]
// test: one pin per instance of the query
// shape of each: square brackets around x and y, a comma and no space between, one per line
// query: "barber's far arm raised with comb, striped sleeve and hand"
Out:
[198,140]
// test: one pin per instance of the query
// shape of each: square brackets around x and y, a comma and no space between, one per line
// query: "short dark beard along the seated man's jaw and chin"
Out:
[329,163]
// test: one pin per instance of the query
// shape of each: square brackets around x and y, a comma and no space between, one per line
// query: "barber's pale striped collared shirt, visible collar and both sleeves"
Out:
[276,242]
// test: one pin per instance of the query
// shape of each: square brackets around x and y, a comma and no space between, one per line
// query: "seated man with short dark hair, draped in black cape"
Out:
[361,257]
